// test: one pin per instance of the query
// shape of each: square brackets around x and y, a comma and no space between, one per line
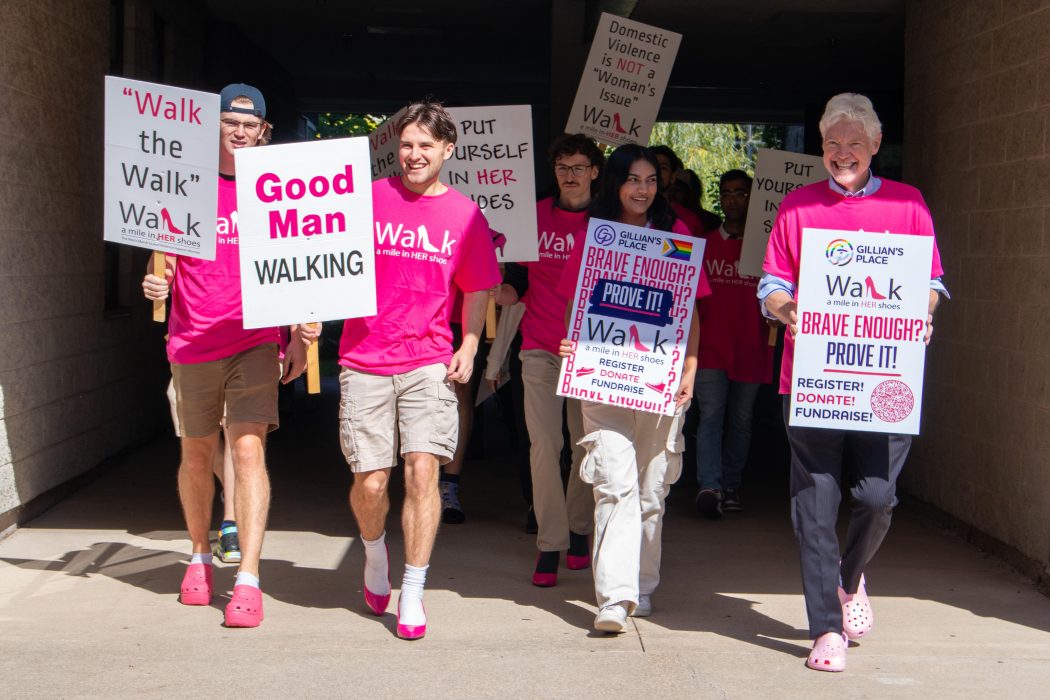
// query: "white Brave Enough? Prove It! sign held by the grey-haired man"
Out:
[859,355]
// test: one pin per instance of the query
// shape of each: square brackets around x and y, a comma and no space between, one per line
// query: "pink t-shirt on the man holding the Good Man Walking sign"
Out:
[424,245]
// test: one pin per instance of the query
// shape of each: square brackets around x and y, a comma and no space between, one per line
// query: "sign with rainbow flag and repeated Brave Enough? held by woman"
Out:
[631,317]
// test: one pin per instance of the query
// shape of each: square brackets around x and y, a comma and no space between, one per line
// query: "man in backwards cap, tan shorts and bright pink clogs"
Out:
[217,364]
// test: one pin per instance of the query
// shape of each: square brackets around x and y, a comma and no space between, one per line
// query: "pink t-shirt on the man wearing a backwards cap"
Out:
[206,322]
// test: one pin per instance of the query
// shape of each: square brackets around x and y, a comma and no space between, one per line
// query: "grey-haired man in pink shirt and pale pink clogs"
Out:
[852,200]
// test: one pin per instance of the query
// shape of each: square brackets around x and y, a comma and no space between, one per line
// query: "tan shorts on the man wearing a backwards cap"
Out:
[243,387]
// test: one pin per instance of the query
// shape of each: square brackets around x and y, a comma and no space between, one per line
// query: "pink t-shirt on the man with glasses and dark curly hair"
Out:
[543,325]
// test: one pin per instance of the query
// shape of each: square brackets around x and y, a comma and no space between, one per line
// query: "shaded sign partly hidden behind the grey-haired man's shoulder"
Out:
[776,175]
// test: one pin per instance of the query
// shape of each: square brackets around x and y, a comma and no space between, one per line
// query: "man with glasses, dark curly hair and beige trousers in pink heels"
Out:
[564,515]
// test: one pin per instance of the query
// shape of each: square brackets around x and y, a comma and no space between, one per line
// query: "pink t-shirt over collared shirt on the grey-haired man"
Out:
[894,208]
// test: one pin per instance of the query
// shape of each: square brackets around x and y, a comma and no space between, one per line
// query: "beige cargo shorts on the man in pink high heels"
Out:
[419,407]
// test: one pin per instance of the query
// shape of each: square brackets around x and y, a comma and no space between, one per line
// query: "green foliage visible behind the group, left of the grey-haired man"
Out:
[711,150]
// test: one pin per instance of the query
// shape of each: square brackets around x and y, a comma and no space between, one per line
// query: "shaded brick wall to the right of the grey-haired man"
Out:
[977,104]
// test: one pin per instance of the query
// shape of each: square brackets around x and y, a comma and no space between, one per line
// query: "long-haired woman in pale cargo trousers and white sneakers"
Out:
[633,456]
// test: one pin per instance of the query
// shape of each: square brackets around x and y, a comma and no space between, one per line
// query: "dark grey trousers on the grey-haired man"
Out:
[816,477]
